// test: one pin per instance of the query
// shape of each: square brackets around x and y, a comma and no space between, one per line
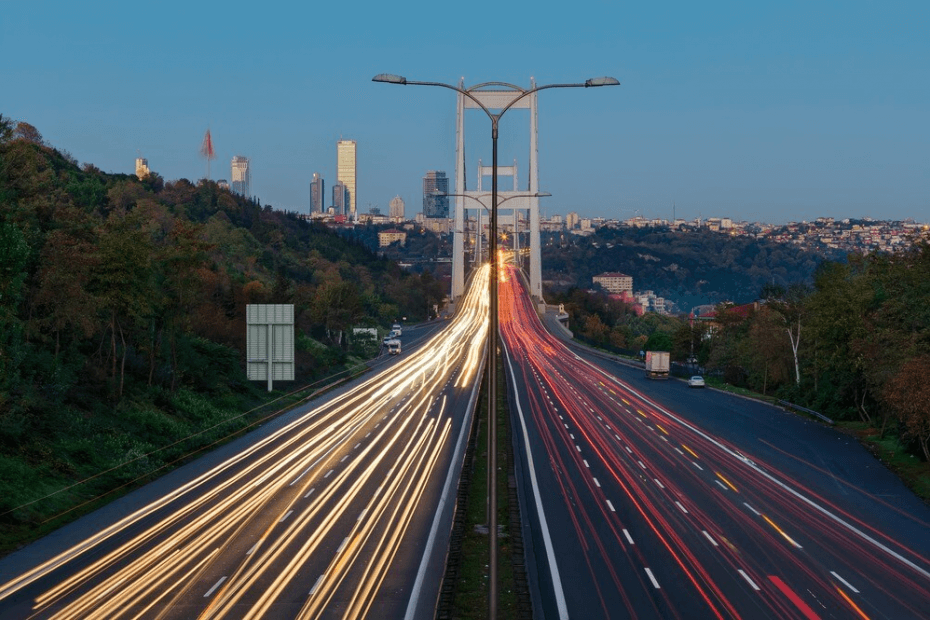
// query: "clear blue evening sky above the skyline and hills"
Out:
[757,111]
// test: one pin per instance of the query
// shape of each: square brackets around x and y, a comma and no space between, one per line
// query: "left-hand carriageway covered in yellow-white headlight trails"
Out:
[341,512]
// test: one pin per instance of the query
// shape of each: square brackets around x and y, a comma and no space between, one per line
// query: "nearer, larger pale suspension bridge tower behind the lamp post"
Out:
[496,96]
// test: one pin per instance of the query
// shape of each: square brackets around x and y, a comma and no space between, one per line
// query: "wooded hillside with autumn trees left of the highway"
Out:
[122,312]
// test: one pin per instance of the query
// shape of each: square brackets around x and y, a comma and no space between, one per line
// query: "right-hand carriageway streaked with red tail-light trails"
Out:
[638,512]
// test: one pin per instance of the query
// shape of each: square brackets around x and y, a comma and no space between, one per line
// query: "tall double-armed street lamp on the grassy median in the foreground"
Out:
[521,93]
